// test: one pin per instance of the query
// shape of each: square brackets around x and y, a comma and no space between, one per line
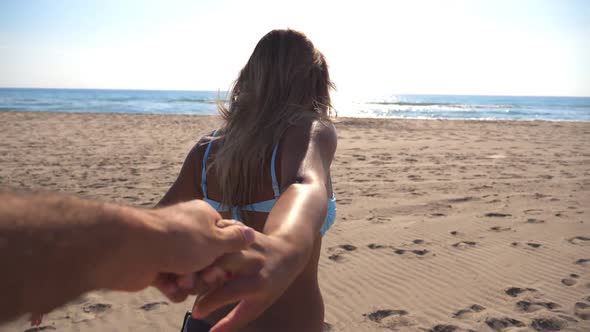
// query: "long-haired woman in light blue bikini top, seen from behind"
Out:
[269,167]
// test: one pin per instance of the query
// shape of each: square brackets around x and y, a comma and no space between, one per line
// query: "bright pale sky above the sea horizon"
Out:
[495,47]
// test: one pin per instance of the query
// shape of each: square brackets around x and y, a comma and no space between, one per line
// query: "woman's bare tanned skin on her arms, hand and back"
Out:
[284,295]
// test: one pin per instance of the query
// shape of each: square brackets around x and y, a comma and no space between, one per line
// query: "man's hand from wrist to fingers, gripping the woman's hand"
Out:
[182,239]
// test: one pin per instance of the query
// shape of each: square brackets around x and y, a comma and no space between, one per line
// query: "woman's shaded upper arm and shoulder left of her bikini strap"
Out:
[188,184]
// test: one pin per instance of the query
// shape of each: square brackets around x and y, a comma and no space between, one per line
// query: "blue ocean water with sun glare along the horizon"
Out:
[389,106]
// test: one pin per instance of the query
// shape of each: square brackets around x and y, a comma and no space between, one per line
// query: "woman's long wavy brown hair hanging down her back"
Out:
[285,79]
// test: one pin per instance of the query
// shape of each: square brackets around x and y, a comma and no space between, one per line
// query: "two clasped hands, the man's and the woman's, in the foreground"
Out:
[164,247]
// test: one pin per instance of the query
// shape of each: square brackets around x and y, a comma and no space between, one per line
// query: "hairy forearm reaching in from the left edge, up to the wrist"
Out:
[53,248]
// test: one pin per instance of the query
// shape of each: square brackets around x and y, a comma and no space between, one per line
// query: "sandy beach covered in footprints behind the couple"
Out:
[442,225]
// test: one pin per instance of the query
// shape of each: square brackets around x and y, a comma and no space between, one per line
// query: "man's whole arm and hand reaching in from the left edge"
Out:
[53,248]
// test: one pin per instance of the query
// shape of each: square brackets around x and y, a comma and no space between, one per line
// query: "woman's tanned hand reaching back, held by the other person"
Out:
[256,291]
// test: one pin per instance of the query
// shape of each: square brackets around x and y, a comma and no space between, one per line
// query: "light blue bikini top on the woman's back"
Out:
[264,206]
